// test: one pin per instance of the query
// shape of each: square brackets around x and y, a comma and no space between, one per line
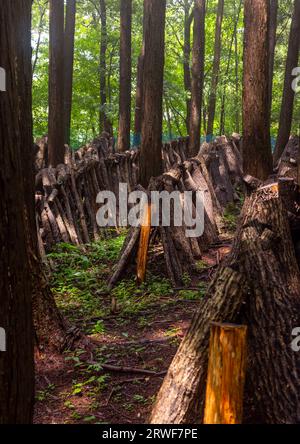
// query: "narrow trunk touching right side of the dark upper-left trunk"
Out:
[68,68]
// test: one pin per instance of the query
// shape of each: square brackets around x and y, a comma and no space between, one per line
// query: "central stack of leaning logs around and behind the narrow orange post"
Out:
[217,172]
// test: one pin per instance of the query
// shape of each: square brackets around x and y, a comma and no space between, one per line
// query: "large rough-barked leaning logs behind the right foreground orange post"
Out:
[258,285]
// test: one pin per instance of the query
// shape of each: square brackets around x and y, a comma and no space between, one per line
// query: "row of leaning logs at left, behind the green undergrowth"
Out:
[66,196]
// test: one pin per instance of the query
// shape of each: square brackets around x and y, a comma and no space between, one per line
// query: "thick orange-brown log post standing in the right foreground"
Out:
[226,374]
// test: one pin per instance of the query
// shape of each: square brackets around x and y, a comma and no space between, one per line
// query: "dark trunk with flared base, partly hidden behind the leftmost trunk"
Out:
[50,328]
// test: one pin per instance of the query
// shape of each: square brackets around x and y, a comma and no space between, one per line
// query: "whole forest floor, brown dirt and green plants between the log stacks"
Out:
[141,328]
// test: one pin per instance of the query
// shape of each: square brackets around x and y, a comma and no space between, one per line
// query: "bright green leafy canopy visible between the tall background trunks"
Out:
[86,88]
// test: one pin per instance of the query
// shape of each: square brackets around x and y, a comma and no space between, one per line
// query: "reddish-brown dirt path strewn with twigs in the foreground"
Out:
[74,388]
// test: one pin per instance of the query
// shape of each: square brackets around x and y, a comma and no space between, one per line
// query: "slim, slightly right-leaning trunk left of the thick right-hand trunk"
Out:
[216,69]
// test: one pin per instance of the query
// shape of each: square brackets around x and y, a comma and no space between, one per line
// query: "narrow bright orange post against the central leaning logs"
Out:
[144,244]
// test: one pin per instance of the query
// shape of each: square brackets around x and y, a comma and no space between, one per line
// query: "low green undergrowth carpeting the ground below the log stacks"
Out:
[79,283]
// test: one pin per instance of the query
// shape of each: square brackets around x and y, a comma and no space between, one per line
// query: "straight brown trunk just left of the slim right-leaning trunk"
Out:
[197,76]
